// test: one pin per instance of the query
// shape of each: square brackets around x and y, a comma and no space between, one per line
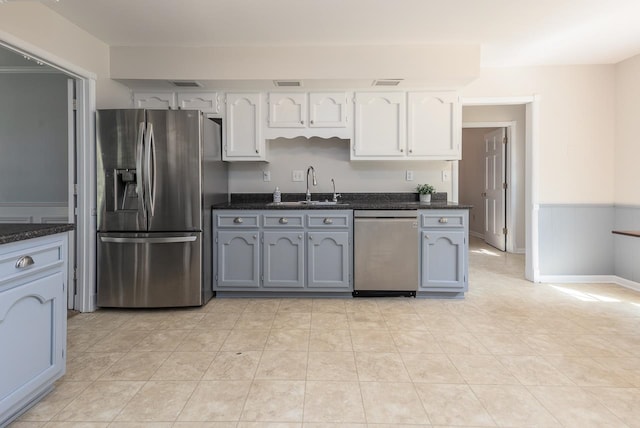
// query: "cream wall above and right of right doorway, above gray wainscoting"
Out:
[576,126]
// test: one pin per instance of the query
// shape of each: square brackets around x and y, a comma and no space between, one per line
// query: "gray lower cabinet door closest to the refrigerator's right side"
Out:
[238,259]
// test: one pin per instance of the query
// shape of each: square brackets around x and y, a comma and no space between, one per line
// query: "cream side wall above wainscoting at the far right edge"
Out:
[627,109]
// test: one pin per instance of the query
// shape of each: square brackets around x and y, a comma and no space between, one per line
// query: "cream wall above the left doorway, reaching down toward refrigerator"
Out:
[35,24]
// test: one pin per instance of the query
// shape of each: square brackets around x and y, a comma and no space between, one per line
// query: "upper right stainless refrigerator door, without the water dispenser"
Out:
[172,164]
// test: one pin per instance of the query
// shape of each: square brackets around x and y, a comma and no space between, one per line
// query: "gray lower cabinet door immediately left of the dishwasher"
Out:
[328,260]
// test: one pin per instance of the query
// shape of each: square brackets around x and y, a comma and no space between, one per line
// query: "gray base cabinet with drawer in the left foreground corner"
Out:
[33,321]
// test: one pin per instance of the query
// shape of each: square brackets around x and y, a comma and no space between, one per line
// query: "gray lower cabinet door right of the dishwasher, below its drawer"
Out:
[443,260]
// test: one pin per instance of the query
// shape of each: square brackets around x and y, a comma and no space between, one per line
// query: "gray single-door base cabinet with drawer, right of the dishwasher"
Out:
[443,251]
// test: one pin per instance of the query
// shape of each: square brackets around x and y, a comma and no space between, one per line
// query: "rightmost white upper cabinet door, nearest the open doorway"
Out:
[434,125]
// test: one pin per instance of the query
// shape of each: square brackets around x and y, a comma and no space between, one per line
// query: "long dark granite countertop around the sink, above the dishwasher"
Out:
[348,201]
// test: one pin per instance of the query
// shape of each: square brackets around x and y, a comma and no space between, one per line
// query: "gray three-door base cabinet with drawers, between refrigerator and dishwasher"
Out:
[280,250]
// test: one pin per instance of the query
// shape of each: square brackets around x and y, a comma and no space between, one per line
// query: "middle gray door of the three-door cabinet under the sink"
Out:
[283,259]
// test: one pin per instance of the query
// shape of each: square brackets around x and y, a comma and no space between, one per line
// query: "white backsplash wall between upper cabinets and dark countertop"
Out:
[330,158]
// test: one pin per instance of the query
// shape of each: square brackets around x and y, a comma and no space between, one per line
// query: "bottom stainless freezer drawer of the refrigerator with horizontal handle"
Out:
[149,270]
